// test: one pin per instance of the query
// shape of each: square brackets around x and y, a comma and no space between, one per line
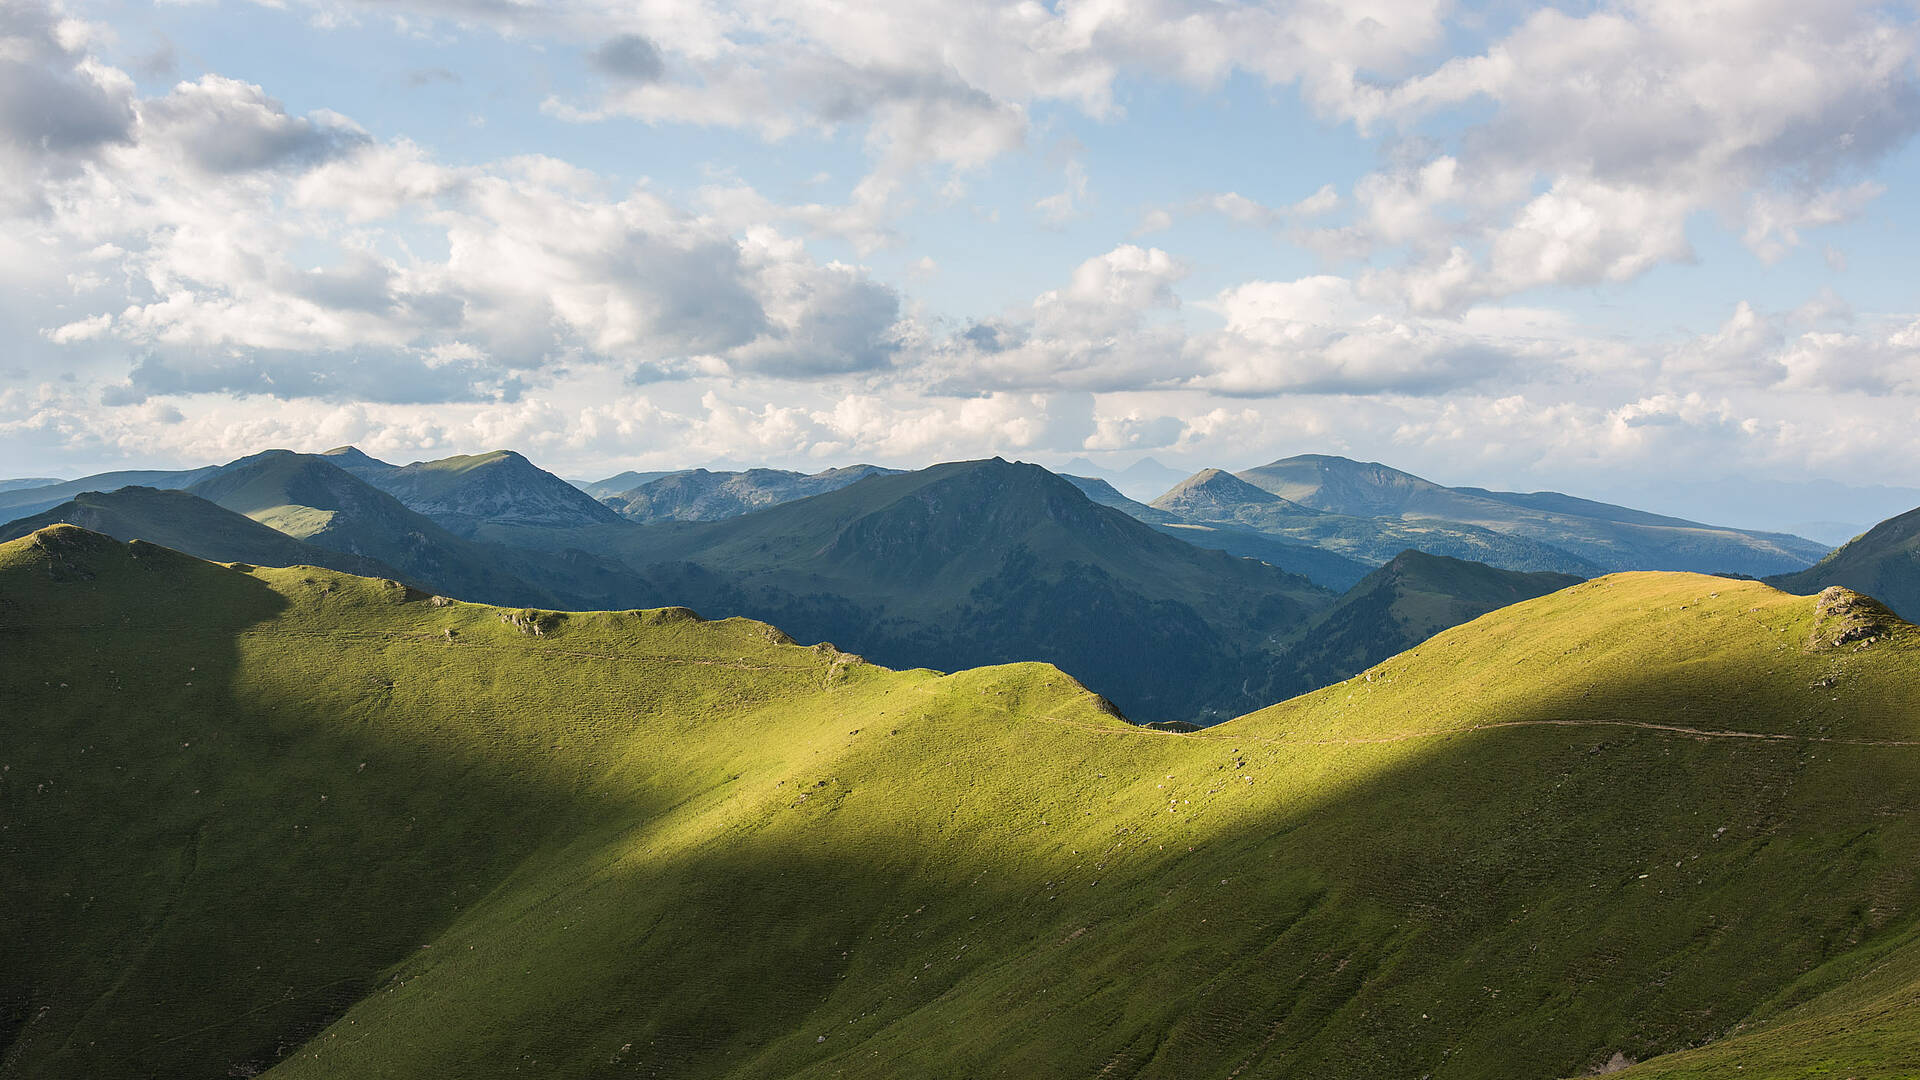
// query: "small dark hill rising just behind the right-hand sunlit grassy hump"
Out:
[1403,604]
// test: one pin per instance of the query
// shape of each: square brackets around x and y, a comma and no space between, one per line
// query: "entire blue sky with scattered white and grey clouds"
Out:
[1639,247]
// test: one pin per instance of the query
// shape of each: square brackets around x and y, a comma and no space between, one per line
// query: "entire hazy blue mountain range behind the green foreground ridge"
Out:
[1216,601]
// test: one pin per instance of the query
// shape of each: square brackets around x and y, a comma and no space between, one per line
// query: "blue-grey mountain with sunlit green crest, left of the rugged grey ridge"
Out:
[471,493]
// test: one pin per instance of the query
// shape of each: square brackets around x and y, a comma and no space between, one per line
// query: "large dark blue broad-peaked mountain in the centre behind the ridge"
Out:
[988,562]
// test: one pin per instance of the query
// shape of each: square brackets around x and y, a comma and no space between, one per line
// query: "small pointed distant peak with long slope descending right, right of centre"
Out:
[1226,501]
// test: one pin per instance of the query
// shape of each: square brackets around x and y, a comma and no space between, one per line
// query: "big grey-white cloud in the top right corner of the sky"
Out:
[1633,118]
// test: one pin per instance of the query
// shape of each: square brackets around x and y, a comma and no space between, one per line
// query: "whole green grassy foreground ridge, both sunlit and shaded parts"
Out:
[320,825]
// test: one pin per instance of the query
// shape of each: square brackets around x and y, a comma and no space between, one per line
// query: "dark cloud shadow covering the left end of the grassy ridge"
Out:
[201,877]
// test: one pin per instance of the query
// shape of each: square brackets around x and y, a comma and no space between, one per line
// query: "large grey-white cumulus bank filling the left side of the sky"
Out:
[247,251]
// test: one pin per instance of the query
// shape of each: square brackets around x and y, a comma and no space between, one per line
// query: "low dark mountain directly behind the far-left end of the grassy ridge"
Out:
[195,526]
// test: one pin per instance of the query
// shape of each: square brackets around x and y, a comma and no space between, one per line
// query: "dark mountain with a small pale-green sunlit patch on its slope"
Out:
[310,499]
